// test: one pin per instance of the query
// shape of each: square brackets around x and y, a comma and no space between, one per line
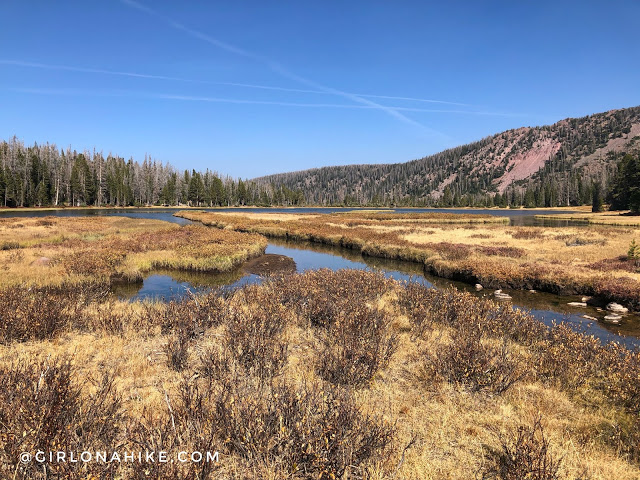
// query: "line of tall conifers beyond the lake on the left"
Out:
[44,175]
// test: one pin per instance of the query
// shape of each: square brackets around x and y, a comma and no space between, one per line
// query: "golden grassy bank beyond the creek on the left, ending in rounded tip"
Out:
[76,250]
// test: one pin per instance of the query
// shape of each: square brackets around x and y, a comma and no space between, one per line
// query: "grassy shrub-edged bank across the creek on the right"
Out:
[567,260]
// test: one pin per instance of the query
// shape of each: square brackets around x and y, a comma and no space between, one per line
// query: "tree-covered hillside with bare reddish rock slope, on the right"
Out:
[548,166]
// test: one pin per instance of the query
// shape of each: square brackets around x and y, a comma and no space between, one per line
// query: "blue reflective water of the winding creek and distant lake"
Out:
[546,307]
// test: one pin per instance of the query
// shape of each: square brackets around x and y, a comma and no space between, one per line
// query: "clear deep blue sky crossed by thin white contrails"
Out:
[185,81]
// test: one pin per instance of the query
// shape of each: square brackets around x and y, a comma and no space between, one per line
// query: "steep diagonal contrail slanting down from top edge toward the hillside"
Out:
[277,67]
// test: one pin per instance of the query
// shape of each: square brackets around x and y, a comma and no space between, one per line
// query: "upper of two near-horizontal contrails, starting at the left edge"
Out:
[208,82]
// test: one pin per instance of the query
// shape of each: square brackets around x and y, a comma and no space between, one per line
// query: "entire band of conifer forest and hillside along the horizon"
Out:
[559,165]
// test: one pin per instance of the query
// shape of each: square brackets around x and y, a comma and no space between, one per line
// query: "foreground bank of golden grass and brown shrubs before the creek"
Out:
[322,375]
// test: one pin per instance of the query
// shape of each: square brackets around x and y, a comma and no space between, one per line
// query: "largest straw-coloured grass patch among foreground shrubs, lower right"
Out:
[455,427]
